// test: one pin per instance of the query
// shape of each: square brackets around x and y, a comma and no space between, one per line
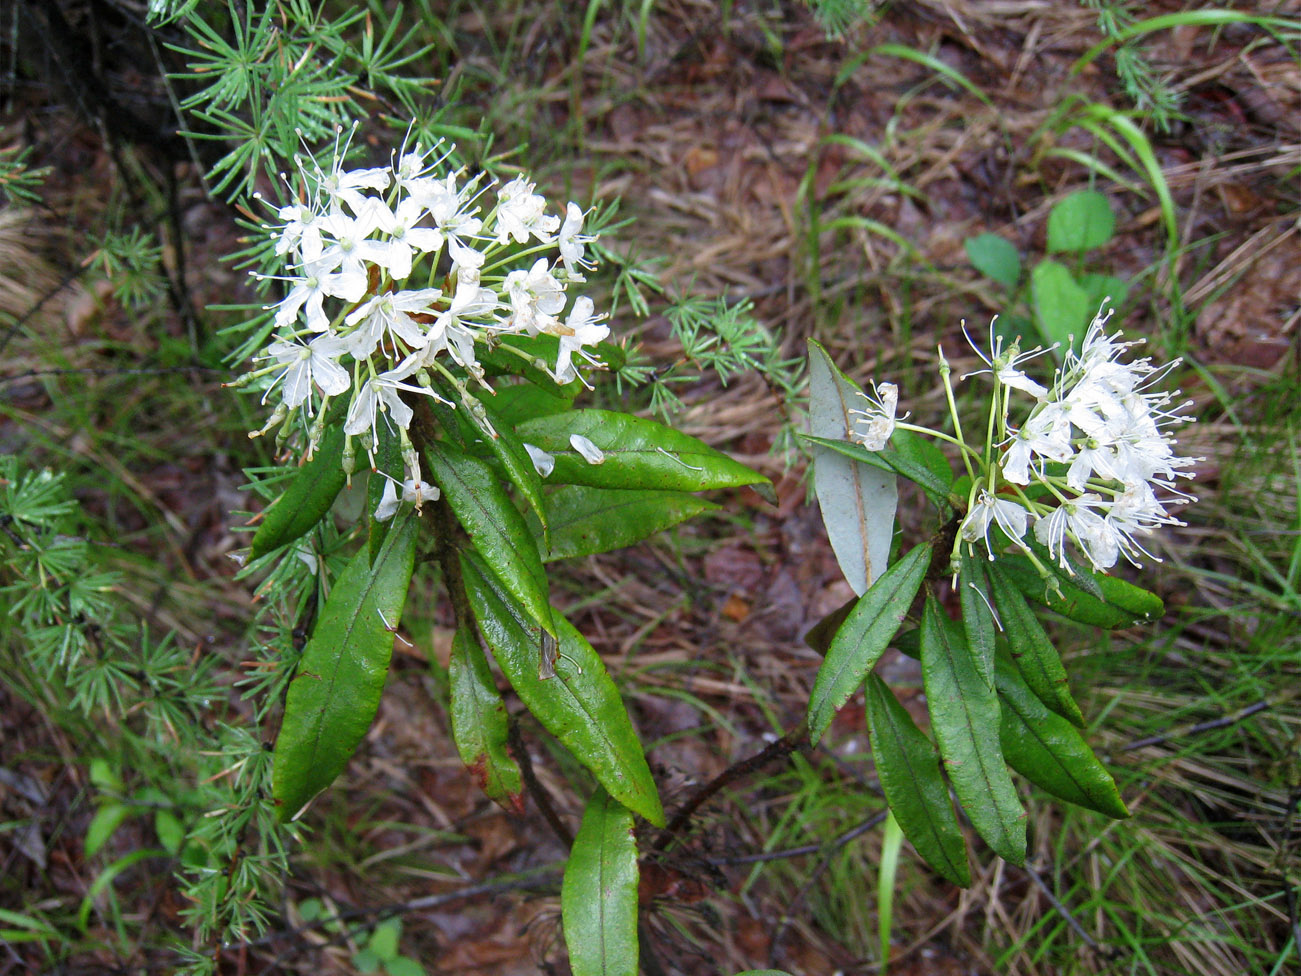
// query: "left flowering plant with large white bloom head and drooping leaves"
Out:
[430,342]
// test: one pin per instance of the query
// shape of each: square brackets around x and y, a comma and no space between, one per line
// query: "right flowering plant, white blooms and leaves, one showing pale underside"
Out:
[1053,477]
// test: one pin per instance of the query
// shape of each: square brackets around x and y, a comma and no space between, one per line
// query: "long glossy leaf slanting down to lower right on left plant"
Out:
[580,706]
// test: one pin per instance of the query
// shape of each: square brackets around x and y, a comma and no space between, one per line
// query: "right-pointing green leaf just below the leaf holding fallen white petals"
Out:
[587,521]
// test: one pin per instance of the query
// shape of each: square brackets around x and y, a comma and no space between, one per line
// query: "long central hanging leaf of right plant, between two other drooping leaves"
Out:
[963,718]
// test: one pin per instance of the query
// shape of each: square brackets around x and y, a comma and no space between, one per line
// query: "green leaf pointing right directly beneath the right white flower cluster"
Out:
[1087,598]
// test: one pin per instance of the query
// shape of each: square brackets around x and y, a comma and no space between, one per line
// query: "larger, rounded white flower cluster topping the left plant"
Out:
[392,267]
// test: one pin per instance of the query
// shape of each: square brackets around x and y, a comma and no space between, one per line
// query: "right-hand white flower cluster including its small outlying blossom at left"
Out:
[1096,452]
